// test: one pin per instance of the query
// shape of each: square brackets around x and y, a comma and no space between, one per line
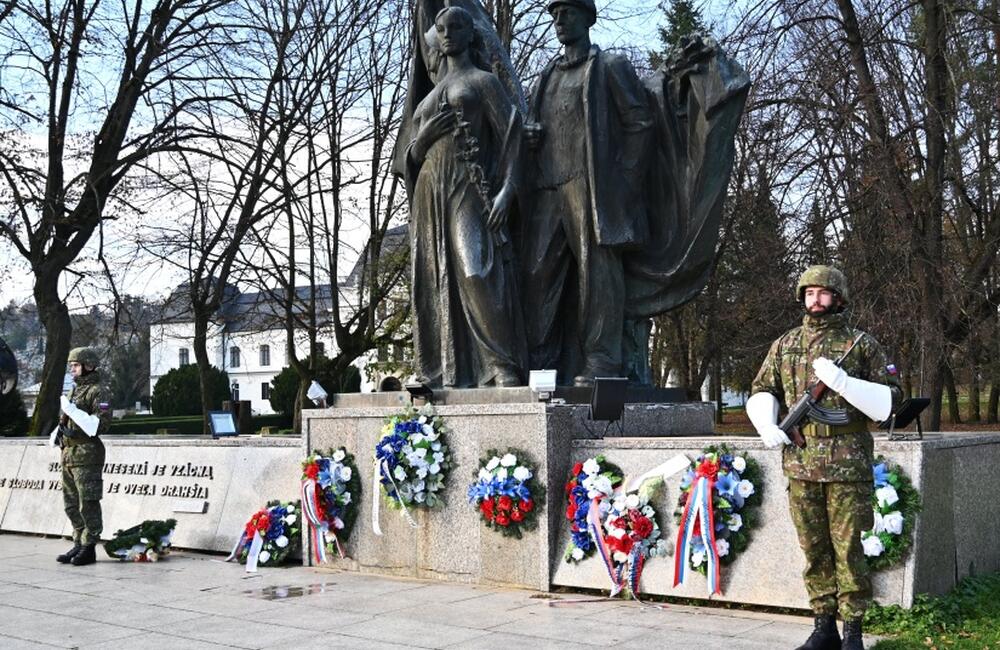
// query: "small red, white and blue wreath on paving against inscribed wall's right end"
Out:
[271,536]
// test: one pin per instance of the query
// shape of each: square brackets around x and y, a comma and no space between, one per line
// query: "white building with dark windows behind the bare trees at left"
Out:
[247,337]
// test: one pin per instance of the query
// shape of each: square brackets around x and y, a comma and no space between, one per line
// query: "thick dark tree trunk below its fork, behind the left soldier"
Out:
[54,316]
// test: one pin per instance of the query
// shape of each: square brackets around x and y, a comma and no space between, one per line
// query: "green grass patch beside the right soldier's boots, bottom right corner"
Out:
[967,618]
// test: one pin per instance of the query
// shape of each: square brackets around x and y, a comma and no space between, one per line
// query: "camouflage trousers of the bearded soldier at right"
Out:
[829,519]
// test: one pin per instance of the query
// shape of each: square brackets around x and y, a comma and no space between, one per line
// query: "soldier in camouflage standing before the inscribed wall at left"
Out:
[83,458]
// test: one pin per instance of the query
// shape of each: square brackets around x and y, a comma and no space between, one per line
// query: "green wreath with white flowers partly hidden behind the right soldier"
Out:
[895,503]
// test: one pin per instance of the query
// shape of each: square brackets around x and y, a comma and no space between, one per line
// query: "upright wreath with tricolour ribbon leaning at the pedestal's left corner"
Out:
[331,489]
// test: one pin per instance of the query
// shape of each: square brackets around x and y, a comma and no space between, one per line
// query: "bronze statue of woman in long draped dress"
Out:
[461,173]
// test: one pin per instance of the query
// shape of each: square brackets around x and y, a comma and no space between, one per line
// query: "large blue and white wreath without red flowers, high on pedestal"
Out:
[413,460]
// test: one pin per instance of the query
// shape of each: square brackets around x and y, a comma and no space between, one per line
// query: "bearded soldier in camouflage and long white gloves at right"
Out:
[830,480]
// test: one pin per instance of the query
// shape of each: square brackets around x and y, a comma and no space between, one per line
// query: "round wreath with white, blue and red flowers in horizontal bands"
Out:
[505,493]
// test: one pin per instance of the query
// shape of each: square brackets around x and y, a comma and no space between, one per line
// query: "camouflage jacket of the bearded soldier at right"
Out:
[831,454]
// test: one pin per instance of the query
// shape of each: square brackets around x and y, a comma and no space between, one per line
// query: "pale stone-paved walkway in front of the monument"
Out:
[196,601]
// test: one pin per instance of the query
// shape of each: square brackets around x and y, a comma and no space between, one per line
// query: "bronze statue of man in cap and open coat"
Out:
[588,135]
